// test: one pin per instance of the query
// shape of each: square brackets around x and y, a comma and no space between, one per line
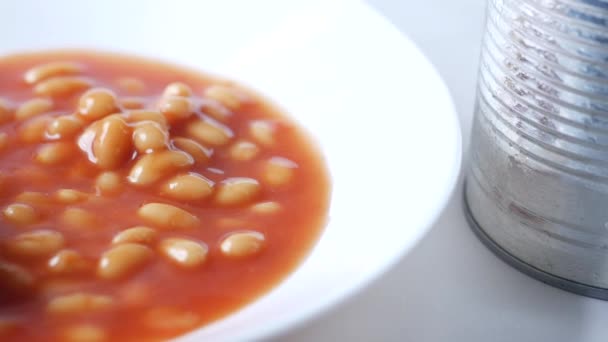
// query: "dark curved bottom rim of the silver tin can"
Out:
[525,268]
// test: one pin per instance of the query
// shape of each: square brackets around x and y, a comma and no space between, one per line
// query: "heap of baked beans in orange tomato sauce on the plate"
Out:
[165,166]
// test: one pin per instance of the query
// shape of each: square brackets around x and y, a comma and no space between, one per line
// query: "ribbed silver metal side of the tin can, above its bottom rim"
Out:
[538,181]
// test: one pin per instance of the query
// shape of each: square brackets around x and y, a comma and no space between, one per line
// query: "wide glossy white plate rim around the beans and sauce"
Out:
[381,114]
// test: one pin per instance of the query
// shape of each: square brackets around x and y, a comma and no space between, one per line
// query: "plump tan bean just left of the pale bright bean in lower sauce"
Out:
[122,260]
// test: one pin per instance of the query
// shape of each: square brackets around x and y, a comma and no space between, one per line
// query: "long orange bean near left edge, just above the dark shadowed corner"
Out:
[35,243]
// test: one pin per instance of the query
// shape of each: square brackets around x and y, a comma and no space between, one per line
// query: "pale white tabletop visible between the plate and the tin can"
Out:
[450,287]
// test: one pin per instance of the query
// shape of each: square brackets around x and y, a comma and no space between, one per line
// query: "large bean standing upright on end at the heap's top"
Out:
[112,145]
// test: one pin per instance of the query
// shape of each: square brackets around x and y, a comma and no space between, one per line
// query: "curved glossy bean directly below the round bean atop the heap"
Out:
[152,167]
